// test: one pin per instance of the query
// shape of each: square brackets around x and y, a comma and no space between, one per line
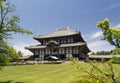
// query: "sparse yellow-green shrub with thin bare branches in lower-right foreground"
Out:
[103,72]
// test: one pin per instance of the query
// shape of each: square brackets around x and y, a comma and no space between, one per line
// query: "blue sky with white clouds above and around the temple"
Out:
[43,16]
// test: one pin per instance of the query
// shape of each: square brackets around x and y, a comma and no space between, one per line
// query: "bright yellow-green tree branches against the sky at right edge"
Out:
[112,35]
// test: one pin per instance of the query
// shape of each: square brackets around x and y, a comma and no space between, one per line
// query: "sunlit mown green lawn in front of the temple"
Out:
[41,73]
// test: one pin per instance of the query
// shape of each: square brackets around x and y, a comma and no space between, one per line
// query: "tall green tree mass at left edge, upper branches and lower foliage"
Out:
[9,24]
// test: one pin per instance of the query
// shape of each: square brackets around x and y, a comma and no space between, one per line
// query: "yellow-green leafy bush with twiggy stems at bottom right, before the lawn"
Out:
[106,75]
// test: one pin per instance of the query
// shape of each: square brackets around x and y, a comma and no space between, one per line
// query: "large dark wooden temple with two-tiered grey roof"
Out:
[61,43]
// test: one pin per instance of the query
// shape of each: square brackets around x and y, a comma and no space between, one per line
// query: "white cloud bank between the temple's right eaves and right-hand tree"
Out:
[98,45]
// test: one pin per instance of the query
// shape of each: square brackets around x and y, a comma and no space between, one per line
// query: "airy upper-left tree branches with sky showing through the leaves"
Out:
[9,22]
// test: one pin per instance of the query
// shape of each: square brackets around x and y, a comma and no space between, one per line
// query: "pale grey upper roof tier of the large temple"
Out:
[58,33]
